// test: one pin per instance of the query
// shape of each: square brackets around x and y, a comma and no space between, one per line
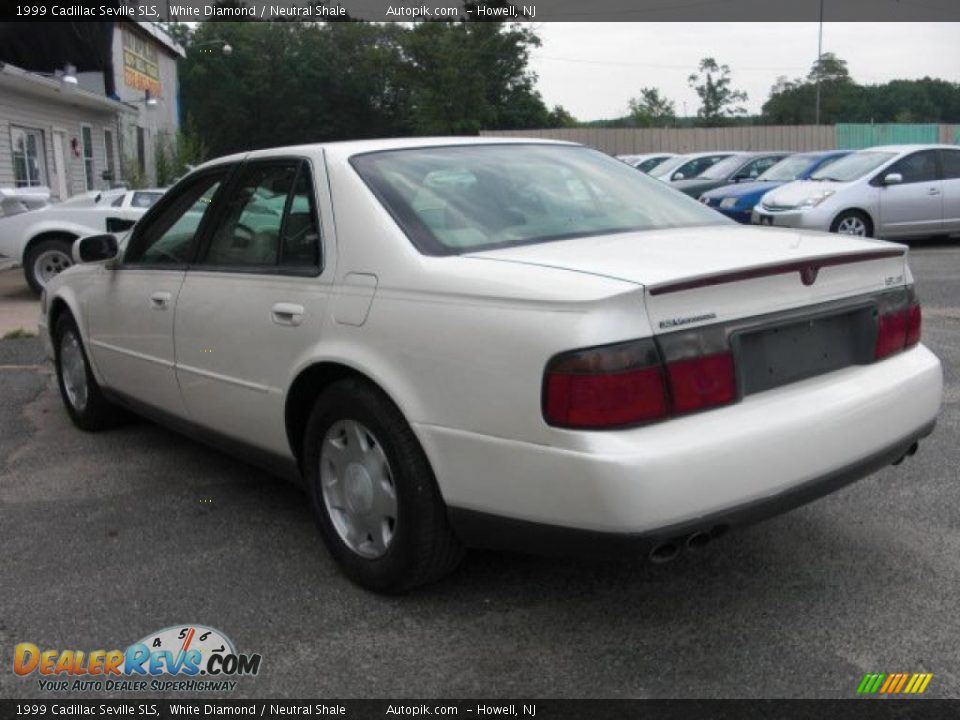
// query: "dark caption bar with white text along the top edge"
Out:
[545,11]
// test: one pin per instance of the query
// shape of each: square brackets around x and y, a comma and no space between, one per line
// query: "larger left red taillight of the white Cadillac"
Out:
[627,384]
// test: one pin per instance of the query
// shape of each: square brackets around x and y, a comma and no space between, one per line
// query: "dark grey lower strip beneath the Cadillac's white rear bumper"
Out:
[478,529]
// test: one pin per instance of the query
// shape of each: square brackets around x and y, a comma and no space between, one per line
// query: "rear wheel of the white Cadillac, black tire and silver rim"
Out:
[374,495]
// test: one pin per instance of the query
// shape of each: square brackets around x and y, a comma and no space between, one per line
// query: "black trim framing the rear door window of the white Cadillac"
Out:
[203,249]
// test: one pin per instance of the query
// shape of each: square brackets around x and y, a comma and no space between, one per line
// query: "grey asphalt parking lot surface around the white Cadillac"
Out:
[106,538]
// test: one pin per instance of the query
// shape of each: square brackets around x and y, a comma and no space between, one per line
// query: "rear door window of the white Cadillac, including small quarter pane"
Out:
[269,220]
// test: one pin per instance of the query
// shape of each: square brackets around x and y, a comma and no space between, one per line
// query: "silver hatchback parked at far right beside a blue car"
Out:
[891,191]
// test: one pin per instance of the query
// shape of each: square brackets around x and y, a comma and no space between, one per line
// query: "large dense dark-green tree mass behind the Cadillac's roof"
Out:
[291,82]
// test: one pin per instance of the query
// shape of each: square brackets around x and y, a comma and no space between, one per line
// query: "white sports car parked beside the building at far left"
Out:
[41,239]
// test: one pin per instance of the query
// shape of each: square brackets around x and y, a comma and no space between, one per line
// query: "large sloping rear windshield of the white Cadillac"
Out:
[458,199]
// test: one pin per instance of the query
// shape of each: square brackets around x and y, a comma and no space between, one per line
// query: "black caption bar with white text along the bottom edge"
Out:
[199,708]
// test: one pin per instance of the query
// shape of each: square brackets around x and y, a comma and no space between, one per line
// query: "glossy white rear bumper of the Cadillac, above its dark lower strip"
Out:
[654,479]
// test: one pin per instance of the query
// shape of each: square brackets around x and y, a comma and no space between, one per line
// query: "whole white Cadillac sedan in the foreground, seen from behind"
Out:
[470,342]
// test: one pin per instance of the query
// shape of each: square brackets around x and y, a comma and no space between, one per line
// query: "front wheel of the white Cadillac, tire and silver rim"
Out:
[85,403]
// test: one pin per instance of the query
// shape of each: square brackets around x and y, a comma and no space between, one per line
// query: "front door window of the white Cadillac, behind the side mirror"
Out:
[170,236]
